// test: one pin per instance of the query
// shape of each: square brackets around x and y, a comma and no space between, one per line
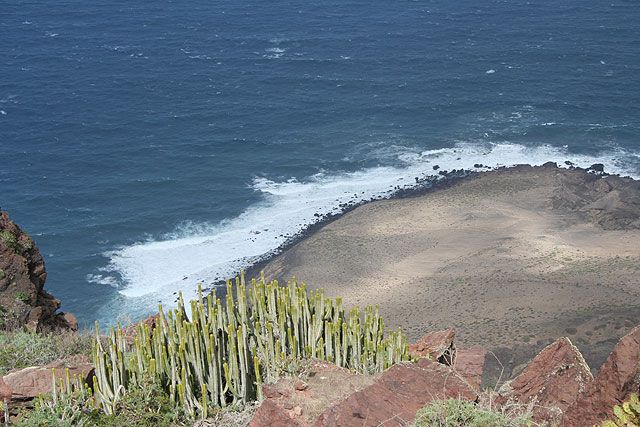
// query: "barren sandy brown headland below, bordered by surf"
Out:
[513,259]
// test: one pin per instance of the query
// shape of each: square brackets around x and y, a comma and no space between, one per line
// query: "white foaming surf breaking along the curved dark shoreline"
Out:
[205,253]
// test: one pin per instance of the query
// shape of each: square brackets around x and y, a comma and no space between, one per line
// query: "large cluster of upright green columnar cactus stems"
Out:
[222,353]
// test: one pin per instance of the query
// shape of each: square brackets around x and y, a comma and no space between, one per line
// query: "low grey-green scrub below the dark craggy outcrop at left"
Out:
[20,349]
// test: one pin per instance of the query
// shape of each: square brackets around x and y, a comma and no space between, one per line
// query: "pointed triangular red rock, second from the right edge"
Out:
[552,382]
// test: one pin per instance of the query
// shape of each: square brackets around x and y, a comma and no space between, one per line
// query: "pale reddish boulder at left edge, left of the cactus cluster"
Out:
[27,383]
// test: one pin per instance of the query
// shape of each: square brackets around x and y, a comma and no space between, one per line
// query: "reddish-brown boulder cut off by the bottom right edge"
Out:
[618,377]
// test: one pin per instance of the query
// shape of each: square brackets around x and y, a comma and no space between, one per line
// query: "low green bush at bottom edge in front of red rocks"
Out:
[461,413]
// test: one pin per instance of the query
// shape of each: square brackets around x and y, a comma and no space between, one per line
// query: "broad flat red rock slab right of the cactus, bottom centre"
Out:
[396,397]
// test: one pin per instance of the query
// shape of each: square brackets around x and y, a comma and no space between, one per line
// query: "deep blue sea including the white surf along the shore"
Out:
[149,146]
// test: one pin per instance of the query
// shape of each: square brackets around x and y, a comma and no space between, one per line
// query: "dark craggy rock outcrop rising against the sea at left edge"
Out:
[23,300]
